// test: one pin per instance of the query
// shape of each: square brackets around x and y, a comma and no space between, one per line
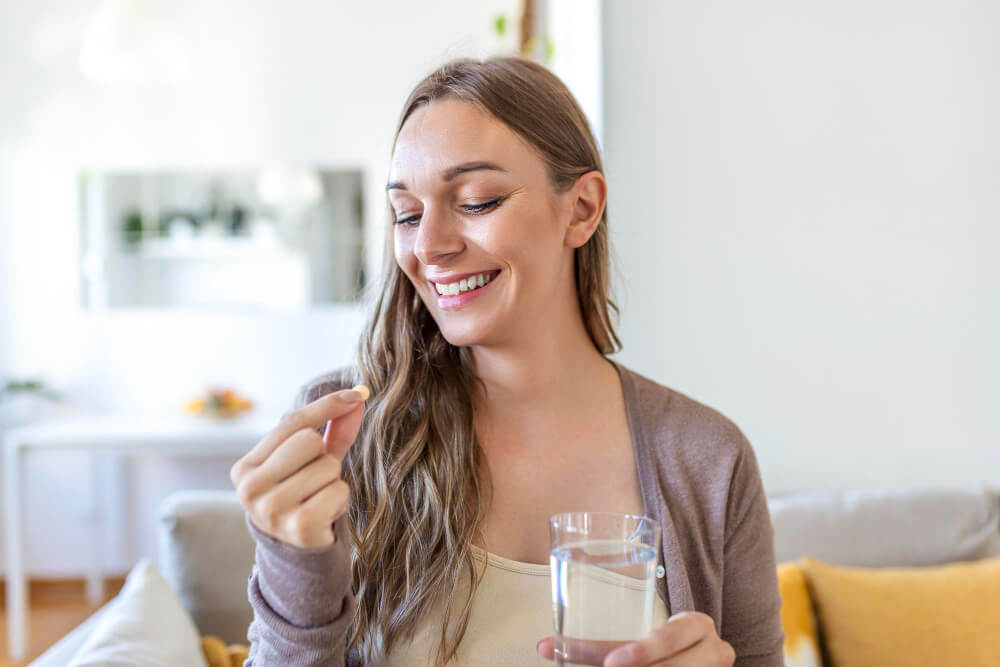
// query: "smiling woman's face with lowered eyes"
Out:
[472,203]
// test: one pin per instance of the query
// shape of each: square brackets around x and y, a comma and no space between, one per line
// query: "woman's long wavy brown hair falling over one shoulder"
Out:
[418,496]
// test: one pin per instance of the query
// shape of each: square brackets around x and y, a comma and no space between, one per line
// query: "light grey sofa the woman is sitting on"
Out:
[206,553]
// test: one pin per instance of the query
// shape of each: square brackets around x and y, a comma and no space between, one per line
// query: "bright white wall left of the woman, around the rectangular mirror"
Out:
[307,80]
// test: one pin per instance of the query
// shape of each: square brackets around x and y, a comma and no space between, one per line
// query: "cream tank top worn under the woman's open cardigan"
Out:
[511,611]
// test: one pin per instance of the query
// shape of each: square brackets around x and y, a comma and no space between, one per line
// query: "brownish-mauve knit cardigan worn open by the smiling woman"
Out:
[699,478]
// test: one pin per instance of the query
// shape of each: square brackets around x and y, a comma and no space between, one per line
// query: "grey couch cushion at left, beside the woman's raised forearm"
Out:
[206,555]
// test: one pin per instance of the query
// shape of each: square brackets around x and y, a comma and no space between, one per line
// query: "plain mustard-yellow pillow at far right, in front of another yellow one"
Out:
[943,615]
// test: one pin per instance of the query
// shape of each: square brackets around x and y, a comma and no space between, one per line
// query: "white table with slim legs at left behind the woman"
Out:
[183,436]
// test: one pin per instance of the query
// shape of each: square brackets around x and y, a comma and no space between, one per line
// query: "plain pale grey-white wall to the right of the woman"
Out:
[804,200]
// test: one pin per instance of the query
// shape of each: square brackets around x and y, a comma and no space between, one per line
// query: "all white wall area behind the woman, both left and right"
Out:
[802,198]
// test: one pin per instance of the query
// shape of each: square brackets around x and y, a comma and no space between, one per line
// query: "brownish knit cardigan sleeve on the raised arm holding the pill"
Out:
[302,601]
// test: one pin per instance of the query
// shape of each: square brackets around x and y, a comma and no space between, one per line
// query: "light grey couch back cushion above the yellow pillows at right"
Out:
[888,527]
